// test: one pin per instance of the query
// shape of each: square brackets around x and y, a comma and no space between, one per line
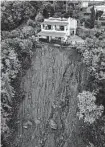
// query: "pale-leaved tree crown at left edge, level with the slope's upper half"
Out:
[9,60]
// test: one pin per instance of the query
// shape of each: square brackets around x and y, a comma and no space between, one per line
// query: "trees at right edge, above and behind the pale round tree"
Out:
[93,55]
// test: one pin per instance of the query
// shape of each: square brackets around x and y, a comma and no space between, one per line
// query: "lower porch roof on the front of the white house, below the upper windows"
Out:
[52,33]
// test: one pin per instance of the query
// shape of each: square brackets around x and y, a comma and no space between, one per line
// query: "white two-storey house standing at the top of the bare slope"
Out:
[58,28]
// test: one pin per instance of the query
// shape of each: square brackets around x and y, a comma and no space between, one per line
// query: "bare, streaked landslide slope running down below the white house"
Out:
[47,115]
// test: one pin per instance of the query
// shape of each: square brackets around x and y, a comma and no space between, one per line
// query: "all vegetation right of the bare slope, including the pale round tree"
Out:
[92,101]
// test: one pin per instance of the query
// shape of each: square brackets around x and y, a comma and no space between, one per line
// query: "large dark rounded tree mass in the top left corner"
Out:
[14,13]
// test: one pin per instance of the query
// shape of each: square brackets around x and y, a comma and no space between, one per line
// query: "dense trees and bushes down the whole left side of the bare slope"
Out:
[17,47]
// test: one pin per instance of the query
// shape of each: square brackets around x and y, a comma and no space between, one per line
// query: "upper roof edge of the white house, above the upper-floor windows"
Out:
[55,22]
